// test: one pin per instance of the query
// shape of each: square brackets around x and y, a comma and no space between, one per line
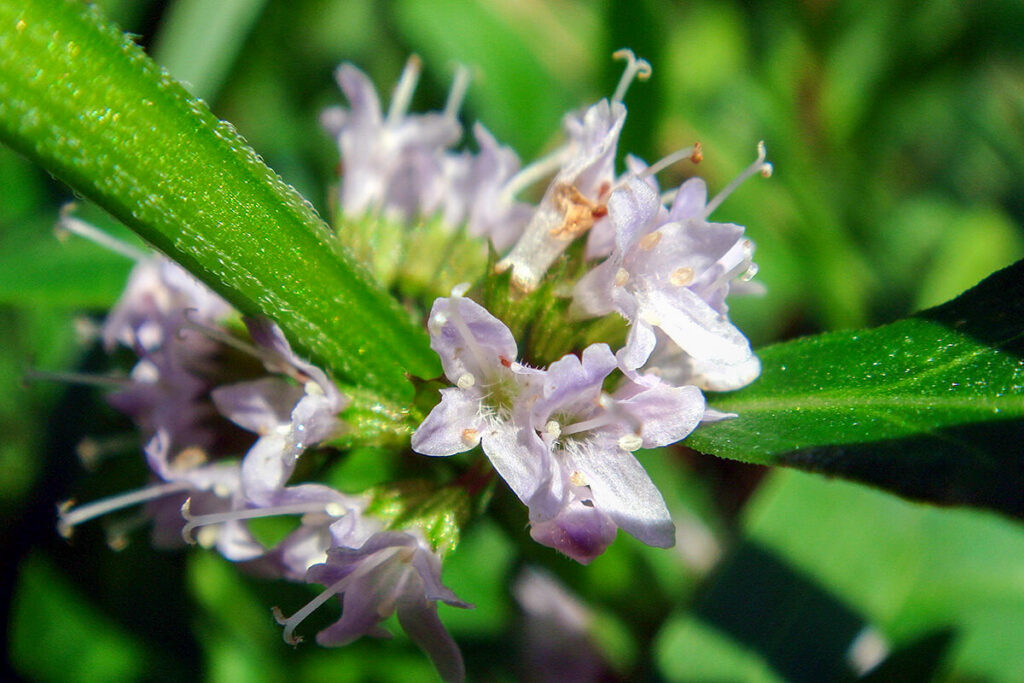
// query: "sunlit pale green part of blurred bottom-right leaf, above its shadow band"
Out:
[913,571]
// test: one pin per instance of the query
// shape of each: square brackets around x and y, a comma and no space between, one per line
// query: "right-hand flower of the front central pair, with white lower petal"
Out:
[595,484]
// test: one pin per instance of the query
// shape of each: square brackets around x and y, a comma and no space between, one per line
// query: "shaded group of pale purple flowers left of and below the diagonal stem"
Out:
[199,377]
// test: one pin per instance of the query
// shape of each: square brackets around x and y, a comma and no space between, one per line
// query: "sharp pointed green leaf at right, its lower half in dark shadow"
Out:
[931,407]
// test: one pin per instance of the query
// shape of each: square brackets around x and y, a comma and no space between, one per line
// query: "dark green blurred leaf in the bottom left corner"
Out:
[57,635]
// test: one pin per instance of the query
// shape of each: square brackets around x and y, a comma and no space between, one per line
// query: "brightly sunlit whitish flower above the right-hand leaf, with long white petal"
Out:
[671,272]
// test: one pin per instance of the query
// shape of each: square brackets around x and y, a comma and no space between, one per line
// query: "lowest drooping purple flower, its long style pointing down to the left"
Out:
[392,572]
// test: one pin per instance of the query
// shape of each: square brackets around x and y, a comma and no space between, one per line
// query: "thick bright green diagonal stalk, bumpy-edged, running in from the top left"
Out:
[84,102]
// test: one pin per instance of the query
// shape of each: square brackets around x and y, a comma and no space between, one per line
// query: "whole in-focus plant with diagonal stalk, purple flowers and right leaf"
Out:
[480,345]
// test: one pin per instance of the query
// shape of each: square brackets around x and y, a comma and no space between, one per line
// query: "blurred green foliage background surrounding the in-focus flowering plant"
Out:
[898,135]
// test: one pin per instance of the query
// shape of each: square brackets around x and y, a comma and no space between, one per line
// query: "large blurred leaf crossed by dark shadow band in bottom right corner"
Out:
[825,566]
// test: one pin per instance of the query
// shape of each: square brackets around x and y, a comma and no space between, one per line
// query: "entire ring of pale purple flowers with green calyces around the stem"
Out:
[573,333]
